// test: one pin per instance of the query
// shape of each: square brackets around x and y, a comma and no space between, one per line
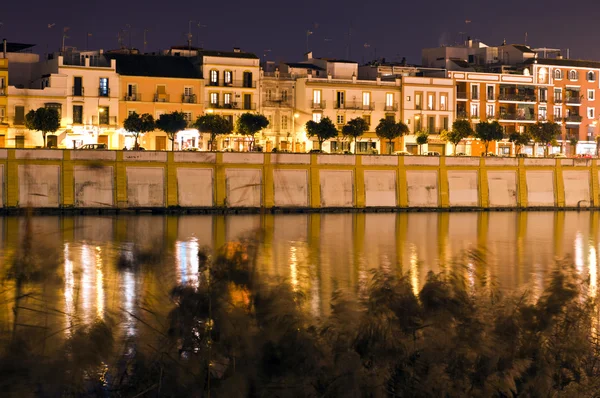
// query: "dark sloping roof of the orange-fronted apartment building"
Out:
[155,66]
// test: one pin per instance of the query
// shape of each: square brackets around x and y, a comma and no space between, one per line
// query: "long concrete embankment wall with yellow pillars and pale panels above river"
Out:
[132,180]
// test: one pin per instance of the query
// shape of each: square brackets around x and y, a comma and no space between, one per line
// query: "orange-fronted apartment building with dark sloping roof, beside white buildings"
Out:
[158,84]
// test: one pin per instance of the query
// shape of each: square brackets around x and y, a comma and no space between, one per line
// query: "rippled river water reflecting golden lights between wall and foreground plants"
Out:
[316,254]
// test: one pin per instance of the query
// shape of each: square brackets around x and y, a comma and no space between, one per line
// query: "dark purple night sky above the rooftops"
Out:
[276,30]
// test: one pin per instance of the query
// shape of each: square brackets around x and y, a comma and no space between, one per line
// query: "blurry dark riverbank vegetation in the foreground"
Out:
[232,333]
